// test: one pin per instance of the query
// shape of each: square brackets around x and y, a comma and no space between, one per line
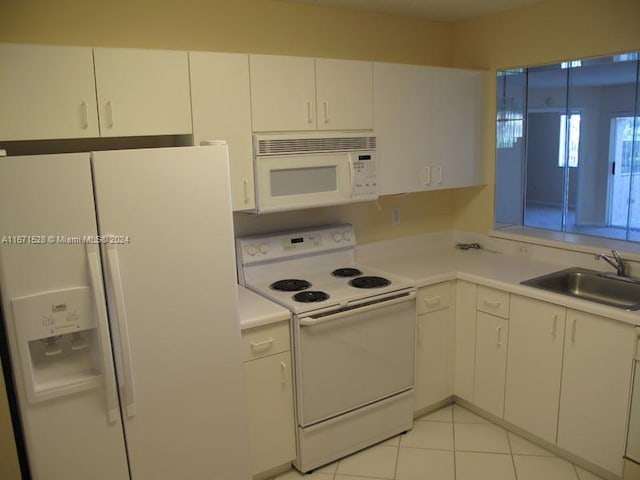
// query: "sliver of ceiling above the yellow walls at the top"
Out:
[443,10]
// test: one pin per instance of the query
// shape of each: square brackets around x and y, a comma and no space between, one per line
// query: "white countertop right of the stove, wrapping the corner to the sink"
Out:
[429,265]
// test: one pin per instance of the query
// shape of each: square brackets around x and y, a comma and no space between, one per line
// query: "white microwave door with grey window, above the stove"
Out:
[290,182]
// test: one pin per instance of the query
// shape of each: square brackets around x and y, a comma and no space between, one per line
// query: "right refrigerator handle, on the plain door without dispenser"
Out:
[123,328]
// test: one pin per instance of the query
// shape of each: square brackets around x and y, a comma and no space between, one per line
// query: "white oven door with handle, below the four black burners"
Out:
[354,357]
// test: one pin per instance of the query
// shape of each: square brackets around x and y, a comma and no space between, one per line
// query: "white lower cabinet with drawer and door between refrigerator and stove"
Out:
[268,380]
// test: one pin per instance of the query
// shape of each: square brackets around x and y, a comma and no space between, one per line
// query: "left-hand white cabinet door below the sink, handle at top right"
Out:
[534,366]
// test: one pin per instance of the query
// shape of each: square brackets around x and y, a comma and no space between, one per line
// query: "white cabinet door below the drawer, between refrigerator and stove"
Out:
[270,404]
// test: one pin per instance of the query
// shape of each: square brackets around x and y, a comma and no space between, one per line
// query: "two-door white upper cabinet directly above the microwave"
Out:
[300,93]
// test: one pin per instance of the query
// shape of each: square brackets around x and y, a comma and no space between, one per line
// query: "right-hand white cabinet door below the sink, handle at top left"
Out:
[596,384]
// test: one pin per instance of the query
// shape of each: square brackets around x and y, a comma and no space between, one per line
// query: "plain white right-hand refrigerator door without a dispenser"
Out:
[171,287]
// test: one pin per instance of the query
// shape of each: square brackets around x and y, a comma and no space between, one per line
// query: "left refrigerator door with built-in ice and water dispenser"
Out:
[55,319]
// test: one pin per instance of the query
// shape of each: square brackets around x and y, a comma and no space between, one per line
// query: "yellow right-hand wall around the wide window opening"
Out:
[546,32]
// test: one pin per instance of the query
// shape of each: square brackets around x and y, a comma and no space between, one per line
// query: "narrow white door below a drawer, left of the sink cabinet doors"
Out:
[491,362]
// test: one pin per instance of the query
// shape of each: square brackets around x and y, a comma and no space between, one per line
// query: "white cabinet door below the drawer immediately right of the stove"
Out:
[431,359]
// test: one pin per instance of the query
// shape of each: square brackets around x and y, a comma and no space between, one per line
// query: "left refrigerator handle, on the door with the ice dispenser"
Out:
[103,332]
